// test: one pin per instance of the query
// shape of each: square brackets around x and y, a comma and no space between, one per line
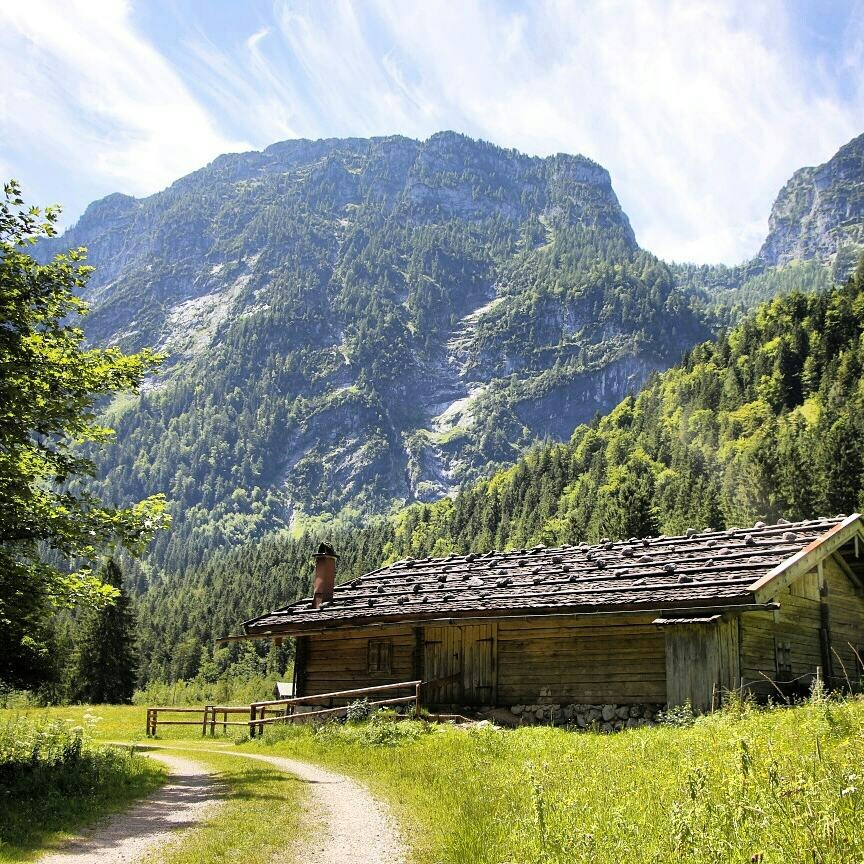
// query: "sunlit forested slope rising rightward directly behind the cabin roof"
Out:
[766,421]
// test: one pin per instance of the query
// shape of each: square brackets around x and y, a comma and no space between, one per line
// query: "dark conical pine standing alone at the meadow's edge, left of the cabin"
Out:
[105,665]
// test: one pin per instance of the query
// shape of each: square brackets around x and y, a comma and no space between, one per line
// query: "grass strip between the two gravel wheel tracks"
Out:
[261,814]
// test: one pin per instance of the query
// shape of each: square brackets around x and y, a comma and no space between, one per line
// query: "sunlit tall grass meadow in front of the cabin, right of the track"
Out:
[743,785]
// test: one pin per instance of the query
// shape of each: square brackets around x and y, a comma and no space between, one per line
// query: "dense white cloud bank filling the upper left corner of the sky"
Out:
[85,91]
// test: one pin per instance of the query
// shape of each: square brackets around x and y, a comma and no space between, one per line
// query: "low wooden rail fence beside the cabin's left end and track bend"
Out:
[283,710]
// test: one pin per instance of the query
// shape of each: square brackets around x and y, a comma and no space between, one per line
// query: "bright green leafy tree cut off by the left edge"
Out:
[51,526]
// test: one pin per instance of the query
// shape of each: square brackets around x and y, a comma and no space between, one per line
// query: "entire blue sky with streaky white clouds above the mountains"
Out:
[700,110]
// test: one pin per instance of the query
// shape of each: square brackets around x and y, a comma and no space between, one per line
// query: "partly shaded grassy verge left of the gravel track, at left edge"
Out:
[54,780]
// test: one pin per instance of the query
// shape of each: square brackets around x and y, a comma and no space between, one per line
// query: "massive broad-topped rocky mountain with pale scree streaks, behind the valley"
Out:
[353,324]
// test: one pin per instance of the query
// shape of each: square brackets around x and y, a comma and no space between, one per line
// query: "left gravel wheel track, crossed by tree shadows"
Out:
[182,803]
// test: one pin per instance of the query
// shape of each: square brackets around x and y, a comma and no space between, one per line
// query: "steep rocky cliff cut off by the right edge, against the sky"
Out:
[819,213]
